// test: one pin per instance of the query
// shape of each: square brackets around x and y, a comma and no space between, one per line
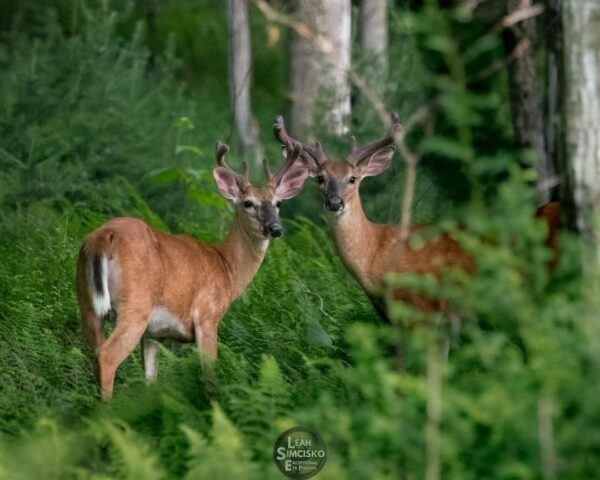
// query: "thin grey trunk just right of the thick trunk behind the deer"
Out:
[374,40]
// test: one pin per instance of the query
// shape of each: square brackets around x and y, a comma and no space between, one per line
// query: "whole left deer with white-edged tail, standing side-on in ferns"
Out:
[172,286]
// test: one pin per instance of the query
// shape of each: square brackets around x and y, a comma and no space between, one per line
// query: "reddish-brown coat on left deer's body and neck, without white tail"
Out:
[173,271]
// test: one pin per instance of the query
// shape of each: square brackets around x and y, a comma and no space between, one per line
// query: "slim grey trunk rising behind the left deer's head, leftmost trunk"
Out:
[240,78]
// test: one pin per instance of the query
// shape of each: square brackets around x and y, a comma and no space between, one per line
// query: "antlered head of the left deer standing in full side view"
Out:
[257,208]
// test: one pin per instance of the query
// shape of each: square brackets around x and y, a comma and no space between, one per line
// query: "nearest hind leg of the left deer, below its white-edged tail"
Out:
[124,338]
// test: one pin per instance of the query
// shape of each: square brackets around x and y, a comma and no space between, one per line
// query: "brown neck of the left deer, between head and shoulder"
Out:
[242,253]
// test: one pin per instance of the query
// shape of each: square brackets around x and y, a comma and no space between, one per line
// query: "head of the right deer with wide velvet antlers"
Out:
[339,180]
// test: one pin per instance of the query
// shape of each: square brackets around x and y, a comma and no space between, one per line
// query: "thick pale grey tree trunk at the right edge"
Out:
[581,25]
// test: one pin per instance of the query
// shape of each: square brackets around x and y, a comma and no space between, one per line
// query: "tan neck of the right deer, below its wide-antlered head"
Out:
[355,238]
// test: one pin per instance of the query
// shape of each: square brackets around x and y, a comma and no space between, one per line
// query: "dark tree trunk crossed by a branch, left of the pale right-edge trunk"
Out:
[526,105]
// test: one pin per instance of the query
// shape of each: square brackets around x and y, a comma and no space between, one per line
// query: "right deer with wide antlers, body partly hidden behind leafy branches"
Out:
[369,250]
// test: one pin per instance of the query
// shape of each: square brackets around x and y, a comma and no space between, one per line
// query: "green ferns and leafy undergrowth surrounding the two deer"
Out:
[102,118]
